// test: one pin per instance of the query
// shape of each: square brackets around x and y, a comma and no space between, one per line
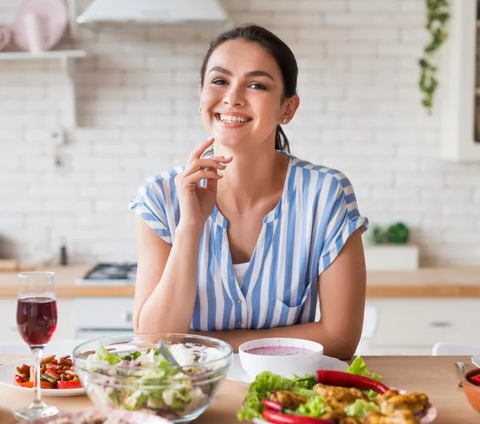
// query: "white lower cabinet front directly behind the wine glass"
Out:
[8,321]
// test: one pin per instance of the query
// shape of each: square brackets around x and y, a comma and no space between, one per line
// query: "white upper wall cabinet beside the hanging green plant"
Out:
[460,86]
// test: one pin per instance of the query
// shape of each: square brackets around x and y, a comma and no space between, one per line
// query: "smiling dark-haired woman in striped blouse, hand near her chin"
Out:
[247,241]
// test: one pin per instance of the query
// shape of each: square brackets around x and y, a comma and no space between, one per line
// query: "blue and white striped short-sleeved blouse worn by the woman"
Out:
[299,239]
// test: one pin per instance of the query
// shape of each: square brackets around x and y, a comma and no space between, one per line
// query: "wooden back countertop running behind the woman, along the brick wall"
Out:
[424,282]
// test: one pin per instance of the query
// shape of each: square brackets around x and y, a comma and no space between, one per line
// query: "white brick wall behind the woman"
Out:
[360,112]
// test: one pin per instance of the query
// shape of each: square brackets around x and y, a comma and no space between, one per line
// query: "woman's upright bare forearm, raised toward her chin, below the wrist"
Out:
[170,306]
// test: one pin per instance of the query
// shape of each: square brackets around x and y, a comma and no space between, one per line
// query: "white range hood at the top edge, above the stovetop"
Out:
[155,12]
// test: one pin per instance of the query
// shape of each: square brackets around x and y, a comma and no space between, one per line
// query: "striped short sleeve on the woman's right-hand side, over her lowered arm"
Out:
[344,220]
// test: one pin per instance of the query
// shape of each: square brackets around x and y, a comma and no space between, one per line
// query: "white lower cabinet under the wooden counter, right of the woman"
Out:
[412,326]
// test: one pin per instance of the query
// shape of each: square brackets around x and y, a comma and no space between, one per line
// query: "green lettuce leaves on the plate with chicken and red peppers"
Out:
[316,405]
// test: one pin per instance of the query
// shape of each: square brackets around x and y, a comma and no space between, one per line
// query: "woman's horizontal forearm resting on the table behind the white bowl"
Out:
[335,345]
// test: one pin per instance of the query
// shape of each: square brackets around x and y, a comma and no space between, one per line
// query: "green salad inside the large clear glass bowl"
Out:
[147,381]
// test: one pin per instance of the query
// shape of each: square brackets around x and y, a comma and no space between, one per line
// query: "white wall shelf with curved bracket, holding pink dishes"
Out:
[67,63]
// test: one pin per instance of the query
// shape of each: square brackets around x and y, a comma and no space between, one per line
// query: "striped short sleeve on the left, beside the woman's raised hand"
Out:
[150,204]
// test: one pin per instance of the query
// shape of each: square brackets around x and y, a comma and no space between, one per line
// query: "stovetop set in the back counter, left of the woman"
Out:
[110,274]
